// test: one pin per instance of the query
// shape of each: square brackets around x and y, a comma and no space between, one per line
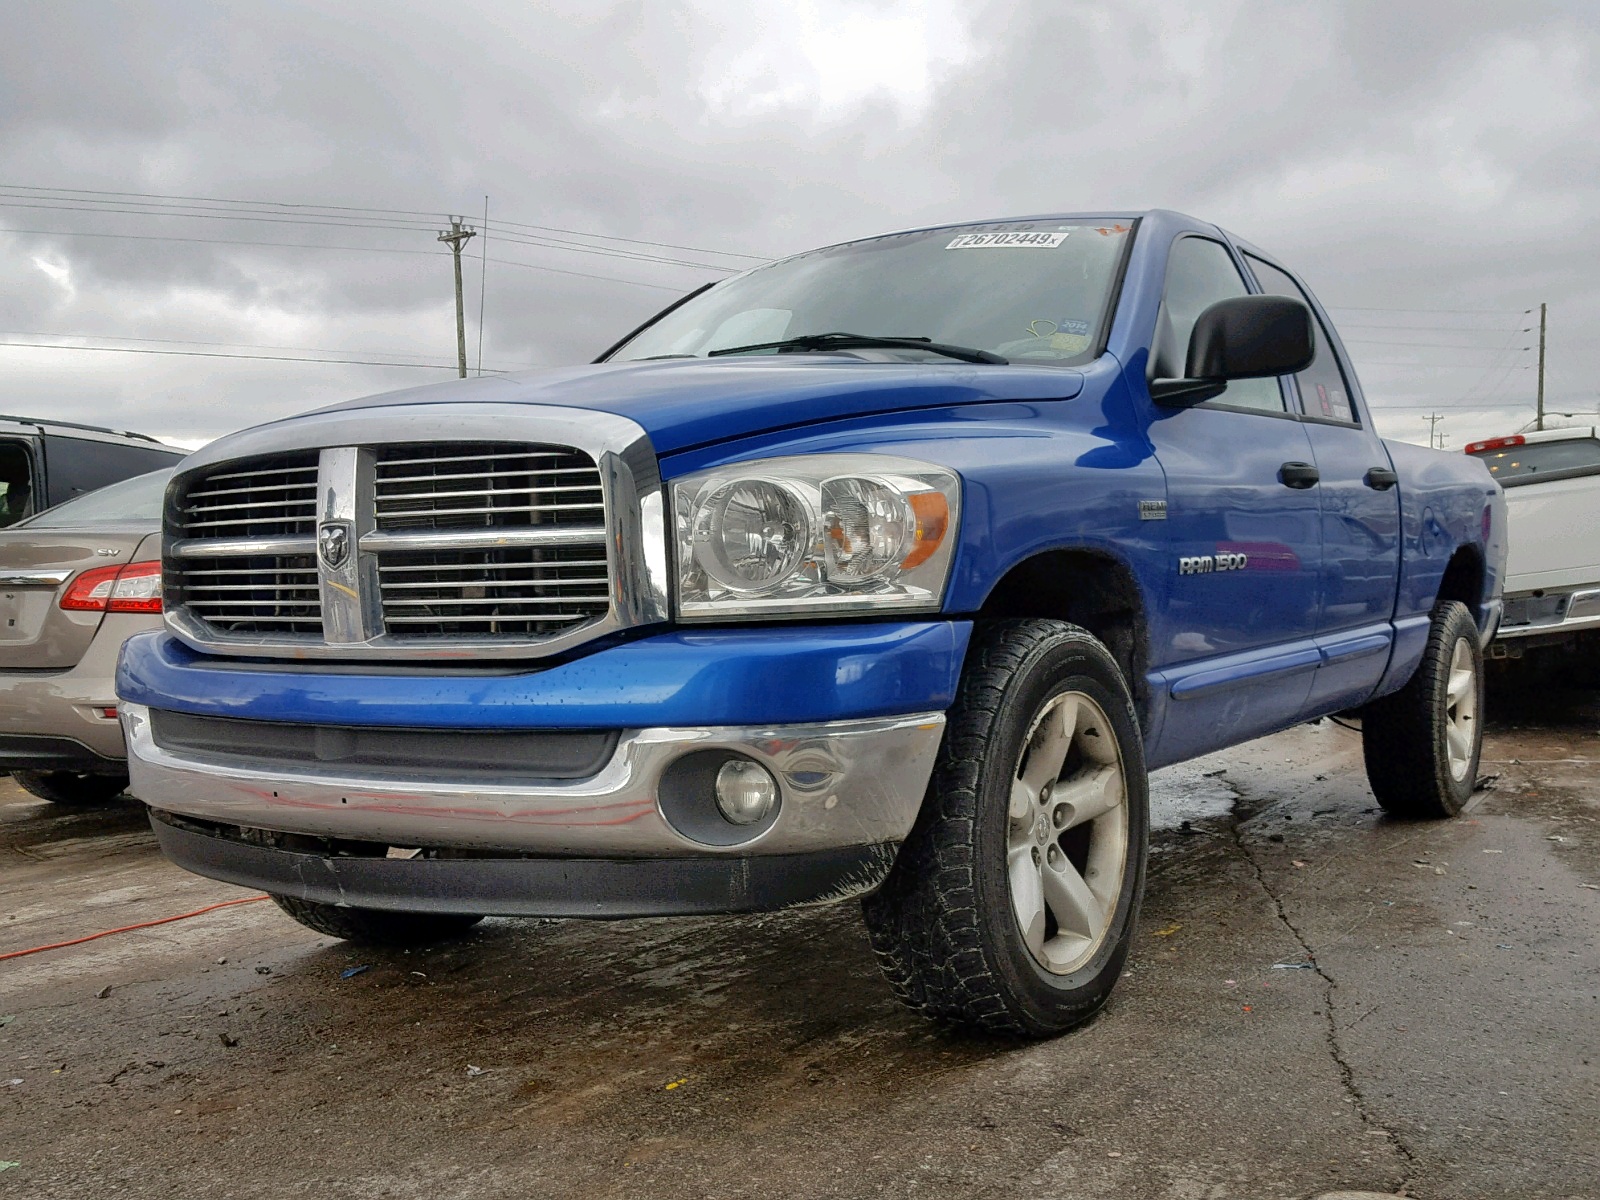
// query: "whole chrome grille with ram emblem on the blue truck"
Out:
[399,548]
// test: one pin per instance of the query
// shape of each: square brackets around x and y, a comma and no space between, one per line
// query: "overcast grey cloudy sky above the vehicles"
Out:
[1430,166]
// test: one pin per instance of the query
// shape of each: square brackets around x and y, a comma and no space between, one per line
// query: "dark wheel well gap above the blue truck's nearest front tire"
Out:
[1089,590]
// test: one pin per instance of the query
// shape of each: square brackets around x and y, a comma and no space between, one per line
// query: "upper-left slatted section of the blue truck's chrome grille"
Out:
[273,497]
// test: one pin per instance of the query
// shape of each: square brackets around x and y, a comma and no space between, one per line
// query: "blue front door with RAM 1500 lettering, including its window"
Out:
[1244,532]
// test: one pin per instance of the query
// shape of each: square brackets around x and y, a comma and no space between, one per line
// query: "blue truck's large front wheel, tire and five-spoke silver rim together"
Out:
[1012,905]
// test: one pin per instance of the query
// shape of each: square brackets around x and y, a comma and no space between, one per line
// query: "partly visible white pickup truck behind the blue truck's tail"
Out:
[1553,500]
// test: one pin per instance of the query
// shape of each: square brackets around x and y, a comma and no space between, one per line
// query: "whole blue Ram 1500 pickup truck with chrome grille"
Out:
[882,572]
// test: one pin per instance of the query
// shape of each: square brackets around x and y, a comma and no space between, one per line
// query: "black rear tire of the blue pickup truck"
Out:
[1407,737]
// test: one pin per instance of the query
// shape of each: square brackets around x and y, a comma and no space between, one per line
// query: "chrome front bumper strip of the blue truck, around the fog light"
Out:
[841,785]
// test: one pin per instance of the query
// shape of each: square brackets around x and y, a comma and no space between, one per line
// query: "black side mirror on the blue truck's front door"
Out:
[1241,338]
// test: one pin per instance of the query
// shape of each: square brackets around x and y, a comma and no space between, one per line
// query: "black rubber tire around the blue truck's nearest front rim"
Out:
[943,926]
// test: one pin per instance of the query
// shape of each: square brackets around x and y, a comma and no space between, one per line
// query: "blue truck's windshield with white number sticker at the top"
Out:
[1033,292]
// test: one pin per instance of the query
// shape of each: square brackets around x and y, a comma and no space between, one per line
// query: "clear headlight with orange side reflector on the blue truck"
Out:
[839,534]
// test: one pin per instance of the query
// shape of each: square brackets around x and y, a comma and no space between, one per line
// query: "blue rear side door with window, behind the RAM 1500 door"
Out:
[1361,518]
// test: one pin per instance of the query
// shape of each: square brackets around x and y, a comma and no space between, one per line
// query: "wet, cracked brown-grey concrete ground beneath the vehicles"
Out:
[1321,999]
